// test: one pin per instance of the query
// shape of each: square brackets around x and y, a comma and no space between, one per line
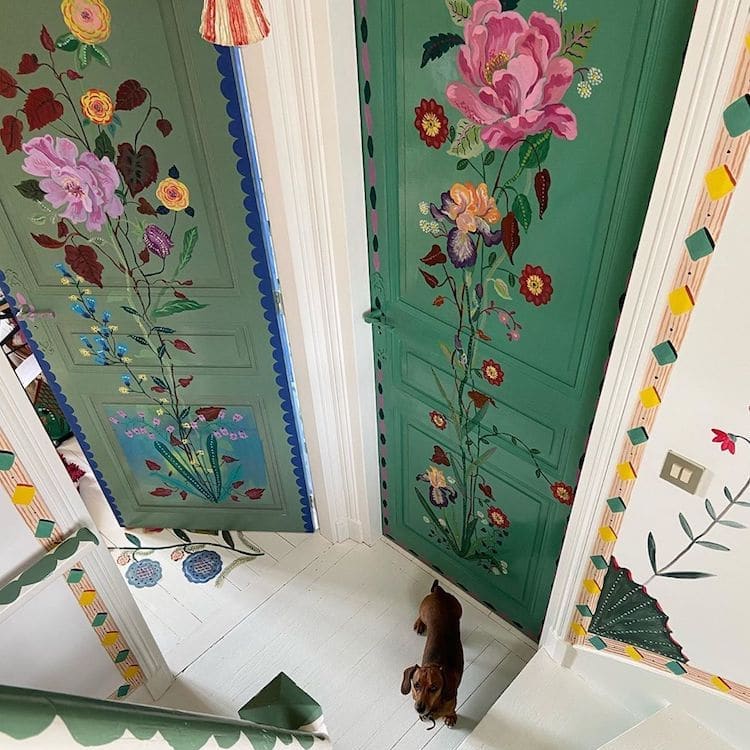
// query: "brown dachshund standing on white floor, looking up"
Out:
[434,685]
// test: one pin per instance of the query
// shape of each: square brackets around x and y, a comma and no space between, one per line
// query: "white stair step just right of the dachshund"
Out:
[548,707]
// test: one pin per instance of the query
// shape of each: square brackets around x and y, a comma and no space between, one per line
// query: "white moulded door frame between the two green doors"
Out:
[304,97]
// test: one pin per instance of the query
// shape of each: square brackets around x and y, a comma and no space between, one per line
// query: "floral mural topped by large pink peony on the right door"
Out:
[513,74]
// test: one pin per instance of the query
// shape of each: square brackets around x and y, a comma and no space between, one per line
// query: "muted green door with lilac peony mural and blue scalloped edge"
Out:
[129,209]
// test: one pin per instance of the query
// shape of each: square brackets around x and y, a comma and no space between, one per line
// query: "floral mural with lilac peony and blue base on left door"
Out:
[119,216]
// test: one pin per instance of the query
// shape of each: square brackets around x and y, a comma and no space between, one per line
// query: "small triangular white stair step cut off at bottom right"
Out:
[669,729]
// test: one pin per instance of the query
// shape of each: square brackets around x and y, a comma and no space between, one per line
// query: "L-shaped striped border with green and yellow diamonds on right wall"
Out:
[725,168]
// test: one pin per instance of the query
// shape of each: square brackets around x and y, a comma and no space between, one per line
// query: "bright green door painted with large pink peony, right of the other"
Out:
[509,157]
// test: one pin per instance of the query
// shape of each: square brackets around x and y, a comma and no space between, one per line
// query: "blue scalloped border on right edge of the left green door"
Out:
[229,64]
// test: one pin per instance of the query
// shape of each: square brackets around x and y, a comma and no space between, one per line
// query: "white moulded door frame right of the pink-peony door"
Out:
[719,29]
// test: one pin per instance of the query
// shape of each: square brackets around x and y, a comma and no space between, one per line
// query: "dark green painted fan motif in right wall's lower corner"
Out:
[627,613]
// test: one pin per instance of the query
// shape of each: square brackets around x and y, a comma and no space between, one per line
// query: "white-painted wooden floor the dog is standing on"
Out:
[337,619]
